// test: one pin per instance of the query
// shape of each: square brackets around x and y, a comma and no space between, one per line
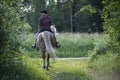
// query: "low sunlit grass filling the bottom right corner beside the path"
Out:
[106,67]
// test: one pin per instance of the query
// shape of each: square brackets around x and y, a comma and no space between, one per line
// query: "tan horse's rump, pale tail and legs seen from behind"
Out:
[46,43]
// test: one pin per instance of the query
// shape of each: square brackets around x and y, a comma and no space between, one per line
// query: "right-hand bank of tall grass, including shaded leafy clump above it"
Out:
[104,62]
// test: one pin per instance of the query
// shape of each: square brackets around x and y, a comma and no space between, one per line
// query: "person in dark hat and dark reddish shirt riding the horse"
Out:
[45,23]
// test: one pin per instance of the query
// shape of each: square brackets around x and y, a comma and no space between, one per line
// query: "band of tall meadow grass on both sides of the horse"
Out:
[72,44]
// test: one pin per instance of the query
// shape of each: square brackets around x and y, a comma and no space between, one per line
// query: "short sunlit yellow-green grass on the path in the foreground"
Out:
[68,69]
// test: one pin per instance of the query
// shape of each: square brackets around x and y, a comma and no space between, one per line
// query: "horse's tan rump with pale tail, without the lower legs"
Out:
[46,39]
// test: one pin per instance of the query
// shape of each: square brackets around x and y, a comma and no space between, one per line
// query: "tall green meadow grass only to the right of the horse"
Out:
[74,45]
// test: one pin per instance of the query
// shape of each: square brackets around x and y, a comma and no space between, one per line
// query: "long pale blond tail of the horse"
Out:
[48,45]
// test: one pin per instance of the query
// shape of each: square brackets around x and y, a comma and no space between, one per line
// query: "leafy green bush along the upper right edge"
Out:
[111,15]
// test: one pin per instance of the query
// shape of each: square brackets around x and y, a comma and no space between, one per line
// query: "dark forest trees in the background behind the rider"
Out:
[61,13]
